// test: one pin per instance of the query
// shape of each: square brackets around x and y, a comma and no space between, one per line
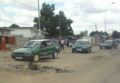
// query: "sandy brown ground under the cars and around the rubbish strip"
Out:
[100,66]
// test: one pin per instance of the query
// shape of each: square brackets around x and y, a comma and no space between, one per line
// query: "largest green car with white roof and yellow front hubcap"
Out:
[35,49]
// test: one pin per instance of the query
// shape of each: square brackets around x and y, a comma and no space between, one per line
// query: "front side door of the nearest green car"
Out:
[43,49]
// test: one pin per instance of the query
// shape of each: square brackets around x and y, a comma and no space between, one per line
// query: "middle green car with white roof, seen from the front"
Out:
[82,45]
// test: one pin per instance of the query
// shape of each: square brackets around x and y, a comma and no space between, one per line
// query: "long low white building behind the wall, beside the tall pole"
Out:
[26,32]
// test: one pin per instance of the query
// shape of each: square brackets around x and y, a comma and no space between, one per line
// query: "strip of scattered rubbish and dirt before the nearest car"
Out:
[29,70]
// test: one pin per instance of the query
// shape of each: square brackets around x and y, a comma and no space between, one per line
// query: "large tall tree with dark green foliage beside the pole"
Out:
[49,21]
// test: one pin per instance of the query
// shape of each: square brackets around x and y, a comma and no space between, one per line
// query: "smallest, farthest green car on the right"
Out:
[108,44]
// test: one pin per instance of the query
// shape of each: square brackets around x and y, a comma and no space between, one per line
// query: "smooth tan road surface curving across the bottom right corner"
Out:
[105,69]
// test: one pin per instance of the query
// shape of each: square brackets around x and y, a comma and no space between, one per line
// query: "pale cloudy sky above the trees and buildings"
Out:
[84,13]
